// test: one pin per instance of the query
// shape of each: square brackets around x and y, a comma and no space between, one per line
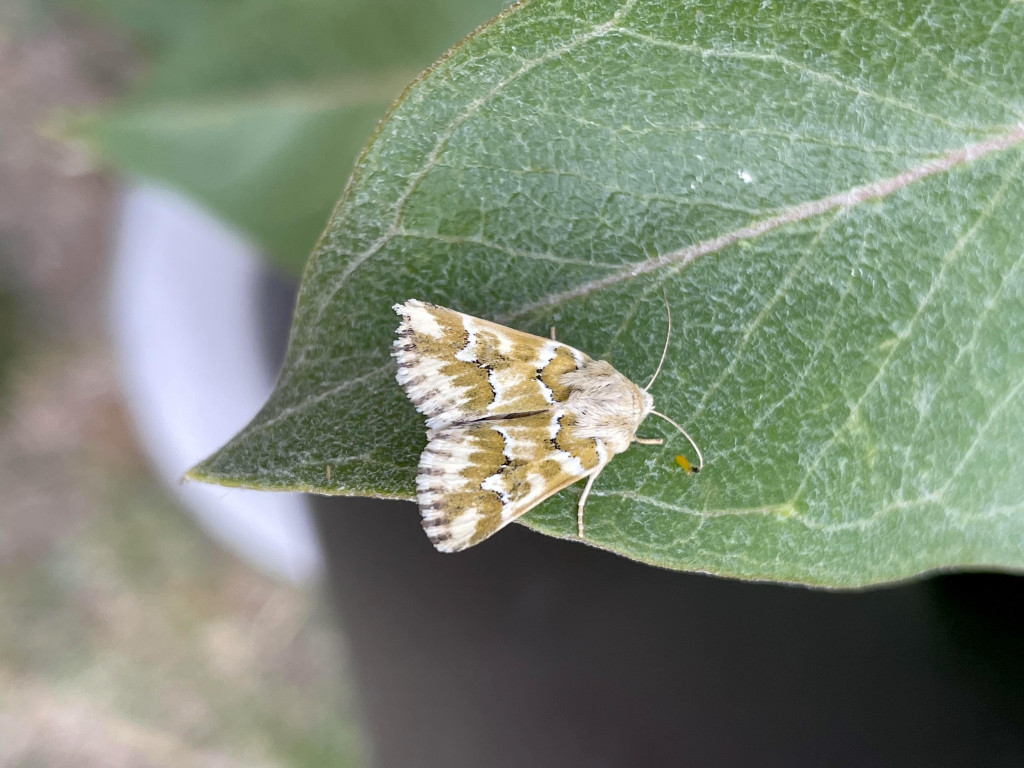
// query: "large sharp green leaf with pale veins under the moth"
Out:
[831,195]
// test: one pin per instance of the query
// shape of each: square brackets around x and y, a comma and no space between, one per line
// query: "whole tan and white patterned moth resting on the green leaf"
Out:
[513,419]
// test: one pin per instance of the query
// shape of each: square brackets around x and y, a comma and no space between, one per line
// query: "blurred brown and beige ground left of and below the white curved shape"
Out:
[127,636]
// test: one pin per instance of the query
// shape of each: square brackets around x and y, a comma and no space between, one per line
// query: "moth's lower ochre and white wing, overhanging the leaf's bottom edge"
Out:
[476,479]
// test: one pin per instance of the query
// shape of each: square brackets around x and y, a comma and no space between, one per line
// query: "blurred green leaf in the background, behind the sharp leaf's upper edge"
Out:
[259,108]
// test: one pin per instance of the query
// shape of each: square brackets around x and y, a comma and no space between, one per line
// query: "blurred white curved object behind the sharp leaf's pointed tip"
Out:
[189,332]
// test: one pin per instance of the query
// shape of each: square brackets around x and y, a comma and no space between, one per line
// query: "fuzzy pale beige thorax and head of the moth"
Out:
[607,405]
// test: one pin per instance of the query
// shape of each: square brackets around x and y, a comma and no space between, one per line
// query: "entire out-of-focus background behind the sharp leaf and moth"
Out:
[165,168]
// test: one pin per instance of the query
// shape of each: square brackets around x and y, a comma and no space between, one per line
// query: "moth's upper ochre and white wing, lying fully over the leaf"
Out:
[457,368]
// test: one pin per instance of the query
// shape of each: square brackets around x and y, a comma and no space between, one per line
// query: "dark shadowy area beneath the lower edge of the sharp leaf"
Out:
[531,652]
